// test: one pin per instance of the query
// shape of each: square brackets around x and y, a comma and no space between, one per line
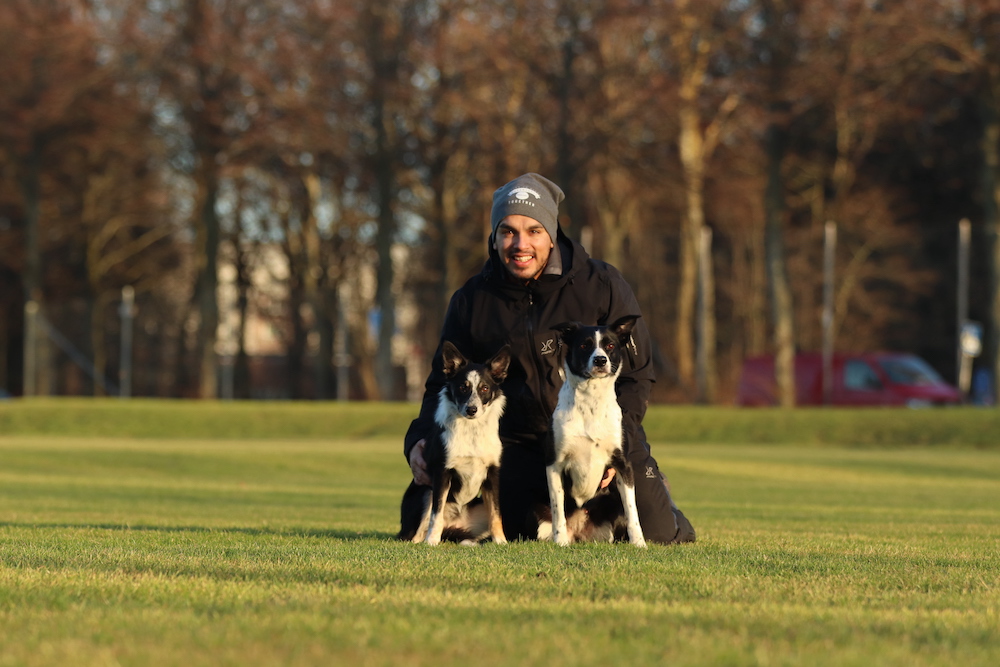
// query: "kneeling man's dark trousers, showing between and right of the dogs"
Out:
[523,488]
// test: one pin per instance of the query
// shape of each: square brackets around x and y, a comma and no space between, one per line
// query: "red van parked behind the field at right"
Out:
[869,379]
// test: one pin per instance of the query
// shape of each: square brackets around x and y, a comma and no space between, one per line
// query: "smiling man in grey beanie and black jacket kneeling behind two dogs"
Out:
[535,278]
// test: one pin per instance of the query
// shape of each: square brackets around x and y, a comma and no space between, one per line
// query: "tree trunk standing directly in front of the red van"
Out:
[781,293]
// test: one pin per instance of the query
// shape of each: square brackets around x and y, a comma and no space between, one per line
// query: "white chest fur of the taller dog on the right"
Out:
[587,429]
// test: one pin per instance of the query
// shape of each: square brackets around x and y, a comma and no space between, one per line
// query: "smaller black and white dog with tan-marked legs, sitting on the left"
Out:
[463,457]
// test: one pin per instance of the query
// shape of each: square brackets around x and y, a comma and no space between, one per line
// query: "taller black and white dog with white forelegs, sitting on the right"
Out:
[587,438]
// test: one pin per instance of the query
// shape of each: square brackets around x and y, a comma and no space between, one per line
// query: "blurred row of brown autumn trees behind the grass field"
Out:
[326,166]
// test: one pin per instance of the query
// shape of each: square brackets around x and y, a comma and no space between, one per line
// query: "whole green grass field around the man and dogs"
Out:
[139,534]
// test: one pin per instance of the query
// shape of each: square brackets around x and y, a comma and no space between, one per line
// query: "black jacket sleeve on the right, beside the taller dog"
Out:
[636,380]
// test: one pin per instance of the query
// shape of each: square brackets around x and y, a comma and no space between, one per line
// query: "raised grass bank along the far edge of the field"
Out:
[150,418]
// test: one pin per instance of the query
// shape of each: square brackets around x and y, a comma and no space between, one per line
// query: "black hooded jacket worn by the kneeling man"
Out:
[492,309]
